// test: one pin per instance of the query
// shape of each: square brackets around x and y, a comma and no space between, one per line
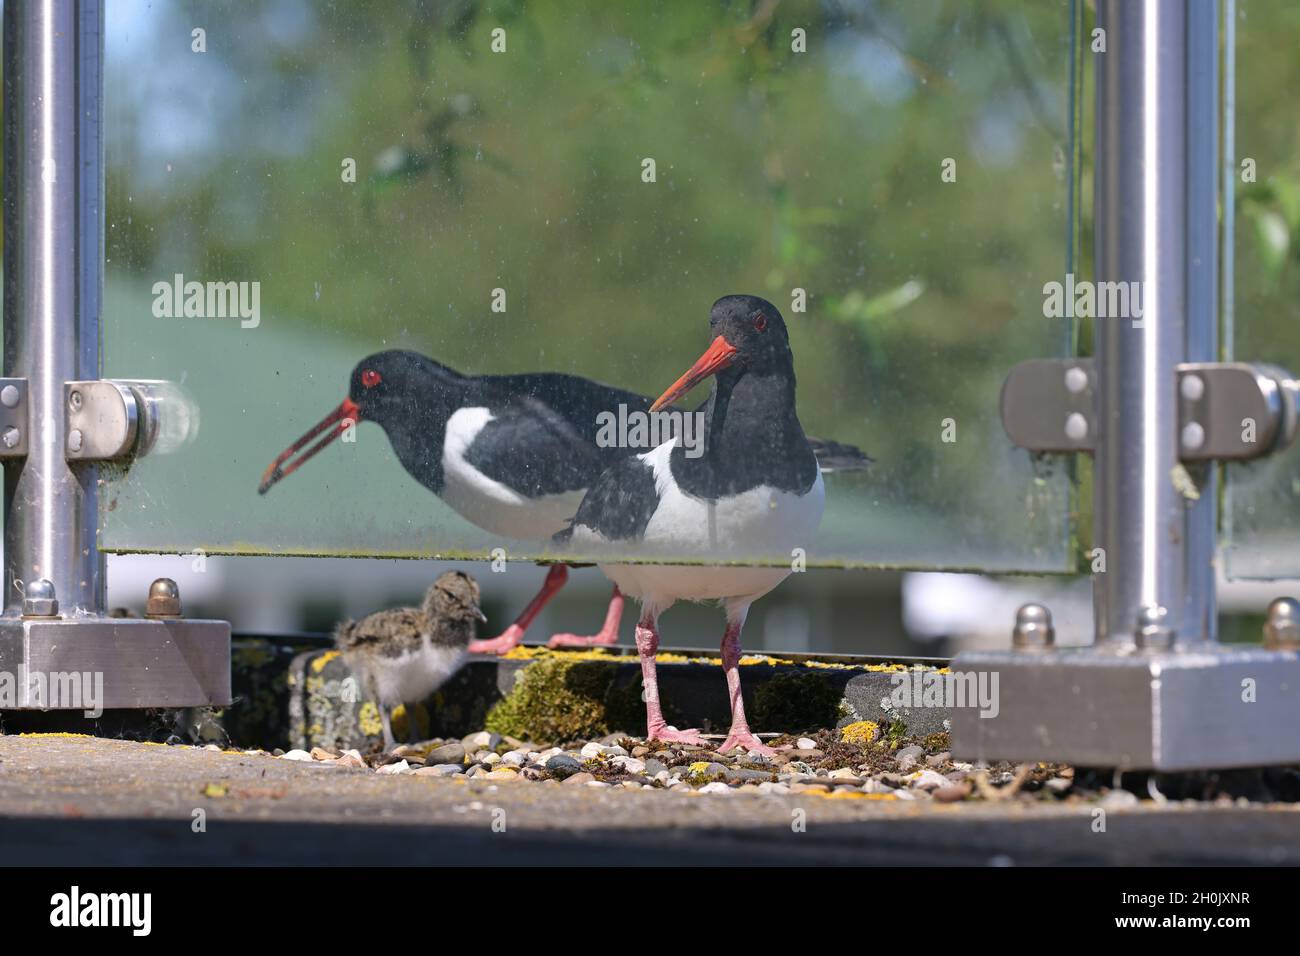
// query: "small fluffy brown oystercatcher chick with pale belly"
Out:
[404,655]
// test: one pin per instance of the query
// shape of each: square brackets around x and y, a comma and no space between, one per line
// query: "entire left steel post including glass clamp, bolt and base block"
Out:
[57,417]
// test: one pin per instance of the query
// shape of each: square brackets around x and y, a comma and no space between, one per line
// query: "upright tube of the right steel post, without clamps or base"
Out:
[1155,213]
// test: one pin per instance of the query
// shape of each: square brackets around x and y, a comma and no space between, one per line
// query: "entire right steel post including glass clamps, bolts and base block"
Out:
[1156,690]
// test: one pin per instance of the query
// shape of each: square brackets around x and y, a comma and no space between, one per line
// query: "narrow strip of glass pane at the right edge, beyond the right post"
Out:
[1263,501]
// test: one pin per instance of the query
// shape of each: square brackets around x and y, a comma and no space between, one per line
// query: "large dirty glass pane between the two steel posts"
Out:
[569,188]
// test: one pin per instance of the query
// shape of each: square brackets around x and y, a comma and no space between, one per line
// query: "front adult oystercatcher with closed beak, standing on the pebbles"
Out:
[756,492]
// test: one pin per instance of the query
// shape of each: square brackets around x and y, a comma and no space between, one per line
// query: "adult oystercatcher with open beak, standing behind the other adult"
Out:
[514,455]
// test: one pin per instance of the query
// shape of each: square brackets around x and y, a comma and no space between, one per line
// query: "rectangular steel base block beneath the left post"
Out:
[102,664]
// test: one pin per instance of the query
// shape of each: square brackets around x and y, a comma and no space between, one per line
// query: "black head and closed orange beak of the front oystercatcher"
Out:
[747,335]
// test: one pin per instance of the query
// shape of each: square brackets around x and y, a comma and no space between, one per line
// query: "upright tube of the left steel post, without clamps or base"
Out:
[54,230]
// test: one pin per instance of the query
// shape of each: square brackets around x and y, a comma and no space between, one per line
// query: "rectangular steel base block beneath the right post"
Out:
[1171,711]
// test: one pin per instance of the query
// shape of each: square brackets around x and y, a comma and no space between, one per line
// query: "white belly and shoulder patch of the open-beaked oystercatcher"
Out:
[489,504]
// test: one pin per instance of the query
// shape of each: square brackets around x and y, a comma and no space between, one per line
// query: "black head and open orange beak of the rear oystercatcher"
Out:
[387,388]
